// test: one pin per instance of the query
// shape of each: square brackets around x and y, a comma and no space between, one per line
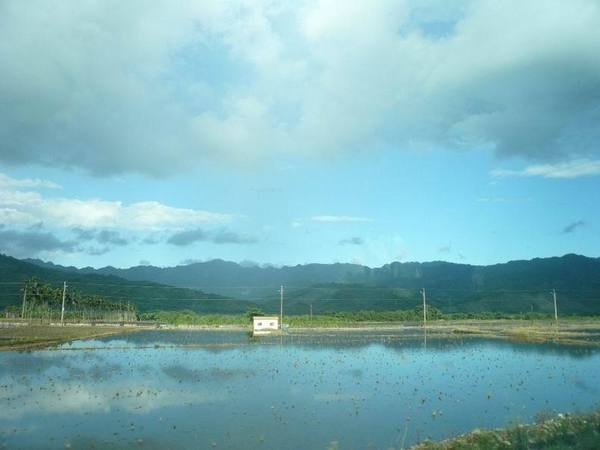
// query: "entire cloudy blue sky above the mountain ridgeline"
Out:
[271,132]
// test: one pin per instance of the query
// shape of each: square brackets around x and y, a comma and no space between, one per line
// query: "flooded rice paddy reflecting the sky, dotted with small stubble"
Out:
[215,389]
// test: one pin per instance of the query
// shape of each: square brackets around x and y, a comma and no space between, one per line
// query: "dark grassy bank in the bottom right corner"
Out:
[577,432]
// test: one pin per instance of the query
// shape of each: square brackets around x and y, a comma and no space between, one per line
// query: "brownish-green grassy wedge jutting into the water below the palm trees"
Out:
[32,336]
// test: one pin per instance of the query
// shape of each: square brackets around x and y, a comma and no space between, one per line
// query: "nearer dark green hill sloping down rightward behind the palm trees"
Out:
[144,295]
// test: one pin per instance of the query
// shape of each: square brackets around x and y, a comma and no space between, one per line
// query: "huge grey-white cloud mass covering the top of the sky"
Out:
[160,87]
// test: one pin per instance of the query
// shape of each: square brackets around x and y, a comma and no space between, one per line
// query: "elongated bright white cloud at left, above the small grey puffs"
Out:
[28,207]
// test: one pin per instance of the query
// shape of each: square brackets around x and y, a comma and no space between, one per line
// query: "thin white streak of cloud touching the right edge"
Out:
[572,169]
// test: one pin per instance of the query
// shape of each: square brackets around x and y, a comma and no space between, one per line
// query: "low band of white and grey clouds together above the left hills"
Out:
[32,223]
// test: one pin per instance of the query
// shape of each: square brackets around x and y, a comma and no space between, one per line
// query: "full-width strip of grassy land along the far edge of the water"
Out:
[574,330]
